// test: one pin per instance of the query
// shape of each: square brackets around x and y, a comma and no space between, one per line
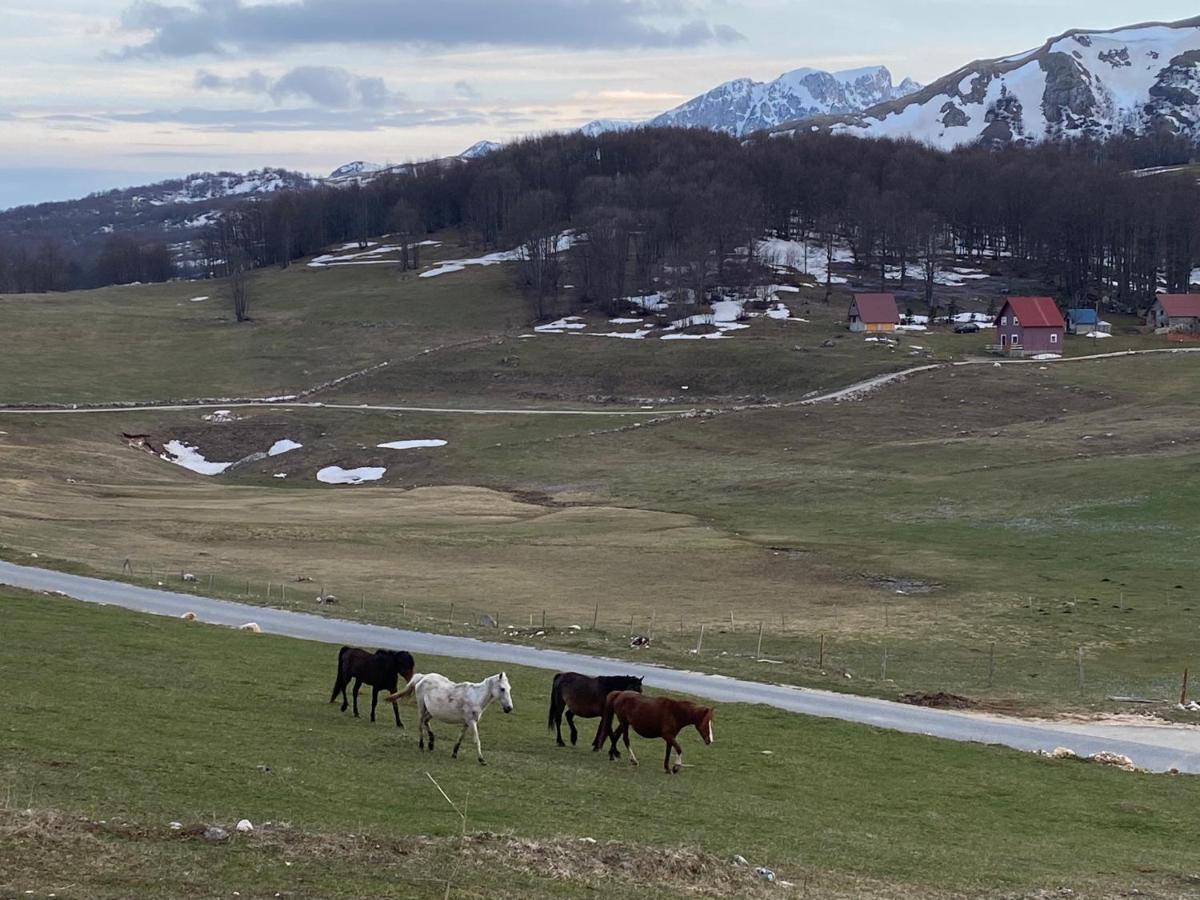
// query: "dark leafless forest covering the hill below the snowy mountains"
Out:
[683,208]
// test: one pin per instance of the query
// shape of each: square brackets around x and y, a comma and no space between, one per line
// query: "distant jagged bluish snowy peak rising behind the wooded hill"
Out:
[743,105]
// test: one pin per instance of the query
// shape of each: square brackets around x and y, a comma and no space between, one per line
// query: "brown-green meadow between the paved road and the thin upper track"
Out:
[1028,514]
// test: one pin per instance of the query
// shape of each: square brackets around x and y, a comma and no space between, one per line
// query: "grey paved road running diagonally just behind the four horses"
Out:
[1157,748]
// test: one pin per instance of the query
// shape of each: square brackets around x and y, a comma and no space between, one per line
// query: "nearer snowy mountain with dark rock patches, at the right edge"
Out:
[1136,80]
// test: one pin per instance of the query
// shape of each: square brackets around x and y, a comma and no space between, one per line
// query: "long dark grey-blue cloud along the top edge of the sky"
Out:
[224,27]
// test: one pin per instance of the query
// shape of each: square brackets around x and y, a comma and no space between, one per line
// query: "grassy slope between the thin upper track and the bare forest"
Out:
[310,326]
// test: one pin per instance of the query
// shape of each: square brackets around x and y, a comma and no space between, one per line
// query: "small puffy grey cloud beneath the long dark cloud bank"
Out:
[325,86]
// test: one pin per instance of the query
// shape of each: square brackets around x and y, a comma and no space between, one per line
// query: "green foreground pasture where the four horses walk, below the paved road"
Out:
[141,722]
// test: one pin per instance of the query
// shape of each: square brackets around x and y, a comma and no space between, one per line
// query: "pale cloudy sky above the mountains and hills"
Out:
[100,94]
